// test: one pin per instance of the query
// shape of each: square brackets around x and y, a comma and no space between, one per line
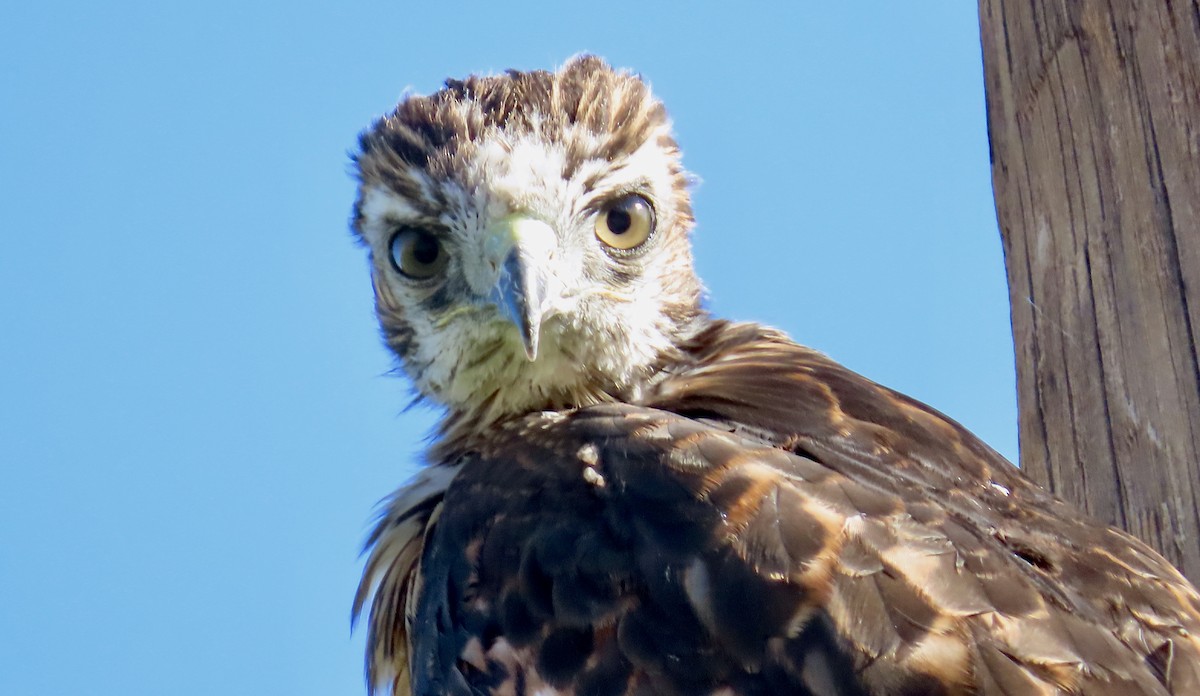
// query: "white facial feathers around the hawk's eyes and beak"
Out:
[599,340]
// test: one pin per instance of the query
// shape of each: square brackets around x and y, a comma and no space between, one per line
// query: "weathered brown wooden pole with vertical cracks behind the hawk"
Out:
[1094,116]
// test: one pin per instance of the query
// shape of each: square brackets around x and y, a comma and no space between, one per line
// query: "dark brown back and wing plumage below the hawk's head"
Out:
[771,523]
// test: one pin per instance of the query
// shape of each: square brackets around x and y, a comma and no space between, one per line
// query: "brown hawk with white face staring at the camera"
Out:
[629,496]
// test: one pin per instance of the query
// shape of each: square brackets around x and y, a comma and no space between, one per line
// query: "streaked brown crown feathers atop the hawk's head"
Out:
[596,112]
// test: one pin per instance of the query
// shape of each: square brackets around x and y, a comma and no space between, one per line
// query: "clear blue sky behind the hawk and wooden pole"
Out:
[196,416]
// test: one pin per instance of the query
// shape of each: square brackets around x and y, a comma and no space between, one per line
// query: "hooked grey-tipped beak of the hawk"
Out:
[520,249]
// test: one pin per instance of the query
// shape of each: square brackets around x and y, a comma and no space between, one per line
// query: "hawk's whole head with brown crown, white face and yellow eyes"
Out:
[529,239]
